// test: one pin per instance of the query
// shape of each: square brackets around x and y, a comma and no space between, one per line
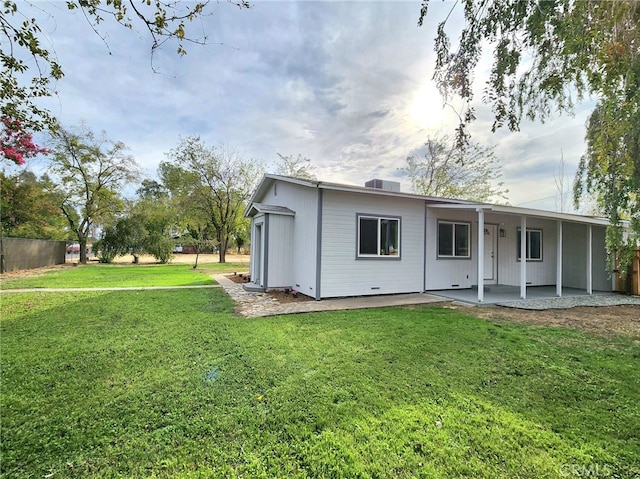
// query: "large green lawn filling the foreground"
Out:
[172,384]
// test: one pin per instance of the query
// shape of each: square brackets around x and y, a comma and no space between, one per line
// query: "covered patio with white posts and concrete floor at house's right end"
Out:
[574,257]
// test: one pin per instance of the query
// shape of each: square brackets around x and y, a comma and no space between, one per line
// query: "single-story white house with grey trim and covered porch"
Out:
[332,240]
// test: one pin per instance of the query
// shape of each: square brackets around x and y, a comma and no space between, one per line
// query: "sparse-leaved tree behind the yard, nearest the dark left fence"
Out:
[90,172]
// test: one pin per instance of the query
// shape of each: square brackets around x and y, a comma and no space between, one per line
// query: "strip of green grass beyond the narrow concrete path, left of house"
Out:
[105,275]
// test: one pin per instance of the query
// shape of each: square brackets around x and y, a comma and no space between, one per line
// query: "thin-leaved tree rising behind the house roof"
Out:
[470,173]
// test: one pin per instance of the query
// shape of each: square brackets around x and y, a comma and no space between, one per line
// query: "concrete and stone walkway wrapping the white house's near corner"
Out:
[252,304]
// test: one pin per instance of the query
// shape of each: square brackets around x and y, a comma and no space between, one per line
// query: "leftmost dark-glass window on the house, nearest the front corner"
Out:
[378,236]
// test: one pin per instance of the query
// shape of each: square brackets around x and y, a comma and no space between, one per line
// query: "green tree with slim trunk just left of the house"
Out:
[215,182]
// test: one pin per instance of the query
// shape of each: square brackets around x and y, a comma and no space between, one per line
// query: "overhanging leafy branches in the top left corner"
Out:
[30,68]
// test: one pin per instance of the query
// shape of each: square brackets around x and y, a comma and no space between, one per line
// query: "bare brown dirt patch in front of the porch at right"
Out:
[603,320]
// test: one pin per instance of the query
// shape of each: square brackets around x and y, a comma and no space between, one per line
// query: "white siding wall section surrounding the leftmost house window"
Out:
[345,275]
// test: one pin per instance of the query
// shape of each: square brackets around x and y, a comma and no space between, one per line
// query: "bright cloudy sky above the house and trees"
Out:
[346,84]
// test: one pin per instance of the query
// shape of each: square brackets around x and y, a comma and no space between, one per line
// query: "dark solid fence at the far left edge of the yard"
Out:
[21,253]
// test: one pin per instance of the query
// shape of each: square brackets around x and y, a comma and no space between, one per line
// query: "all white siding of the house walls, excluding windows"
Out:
[294,259]
